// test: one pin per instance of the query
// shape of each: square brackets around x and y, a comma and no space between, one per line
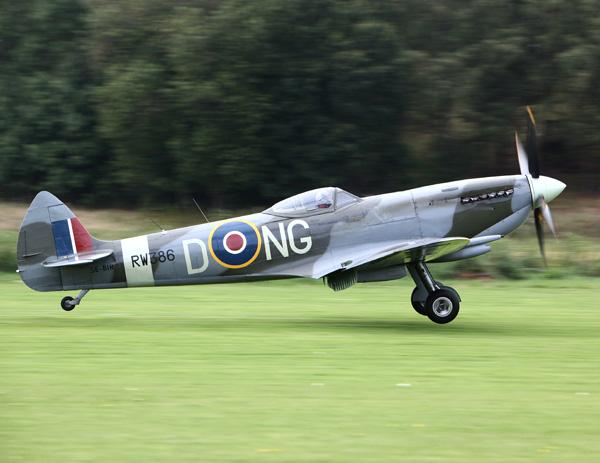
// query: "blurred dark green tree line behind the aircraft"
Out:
[241,103]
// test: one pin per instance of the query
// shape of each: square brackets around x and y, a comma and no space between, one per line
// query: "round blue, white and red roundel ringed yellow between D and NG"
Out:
[235,244]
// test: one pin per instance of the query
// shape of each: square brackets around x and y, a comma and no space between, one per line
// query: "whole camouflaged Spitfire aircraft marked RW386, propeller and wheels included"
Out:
[324,233]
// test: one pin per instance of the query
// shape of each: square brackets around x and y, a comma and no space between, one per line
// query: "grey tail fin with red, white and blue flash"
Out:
[50,236]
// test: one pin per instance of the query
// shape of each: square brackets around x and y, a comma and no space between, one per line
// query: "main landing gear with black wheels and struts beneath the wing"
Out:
[431,298]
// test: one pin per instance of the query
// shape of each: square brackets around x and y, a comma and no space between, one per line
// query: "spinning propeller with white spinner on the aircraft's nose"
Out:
[544,189]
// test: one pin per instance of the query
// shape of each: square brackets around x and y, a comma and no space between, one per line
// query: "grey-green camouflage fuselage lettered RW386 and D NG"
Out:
[273,245]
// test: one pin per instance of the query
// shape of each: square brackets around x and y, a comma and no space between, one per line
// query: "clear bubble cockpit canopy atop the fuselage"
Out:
[313,202]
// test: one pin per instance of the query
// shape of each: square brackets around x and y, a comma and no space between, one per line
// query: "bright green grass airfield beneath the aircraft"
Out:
[290,371]
